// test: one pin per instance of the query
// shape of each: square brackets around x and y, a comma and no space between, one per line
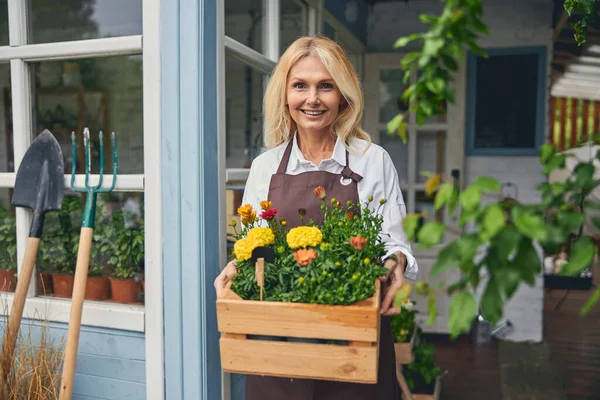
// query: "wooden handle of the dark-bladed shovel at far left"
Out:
[16,311]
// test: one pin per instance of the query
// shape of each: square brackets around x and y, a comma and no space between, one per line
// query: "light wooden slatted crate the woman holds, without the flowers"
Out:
[358,324]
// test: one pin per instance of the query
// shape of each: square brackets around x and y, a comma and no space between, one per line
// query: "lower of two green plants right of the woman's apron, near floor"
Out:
[422,375]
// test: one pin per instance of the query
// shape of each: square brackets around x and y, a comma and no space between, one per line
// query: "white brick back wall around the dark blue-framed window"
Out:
[512,23]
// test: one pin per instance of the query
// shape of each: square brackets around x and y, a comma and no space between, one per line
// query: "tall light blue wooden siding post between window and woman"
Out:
[189,163]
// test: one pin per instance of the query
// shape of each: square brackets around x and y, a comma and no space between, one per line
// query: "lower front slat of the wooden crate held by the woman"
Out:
[300,360]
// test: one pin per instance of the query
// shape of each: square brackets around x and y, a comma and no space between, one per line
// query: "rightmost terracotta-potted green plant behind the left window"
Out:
[126,257]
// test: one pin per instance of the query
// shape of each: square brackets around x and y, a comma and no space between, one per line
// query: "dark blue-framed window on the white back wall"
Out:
[506,99]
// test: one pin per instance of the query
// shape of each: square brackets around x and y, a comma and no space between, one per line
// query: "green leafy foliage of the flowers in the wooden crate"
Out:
[340,273]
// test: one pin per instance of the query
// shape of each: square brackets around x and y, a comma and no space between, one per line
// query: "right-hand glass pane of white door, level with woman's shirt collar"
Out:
[430,153]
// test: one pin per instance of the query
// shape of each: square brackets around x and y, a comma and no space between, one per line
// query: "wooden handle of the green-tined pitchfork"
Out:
[81,271]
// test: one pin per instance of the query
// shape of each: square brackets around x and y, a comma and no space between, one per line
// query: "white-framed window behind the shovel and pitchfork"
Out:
[85,70]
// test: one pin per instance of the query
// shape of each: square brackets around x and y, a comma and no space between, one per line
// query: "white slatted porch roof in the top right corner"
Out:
[575,69]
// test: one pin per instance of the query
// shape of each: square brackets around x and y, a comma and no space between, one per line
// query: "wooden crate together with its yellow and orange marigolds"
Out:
[321,284]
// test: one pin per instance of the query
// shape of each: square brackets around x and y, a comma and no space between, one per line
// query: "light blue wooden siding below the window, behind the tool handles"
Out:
[110,364]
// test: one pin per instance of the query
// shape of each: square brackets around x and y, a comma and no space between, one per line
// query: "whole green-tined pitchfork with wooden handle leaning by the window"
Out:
[83,254]
